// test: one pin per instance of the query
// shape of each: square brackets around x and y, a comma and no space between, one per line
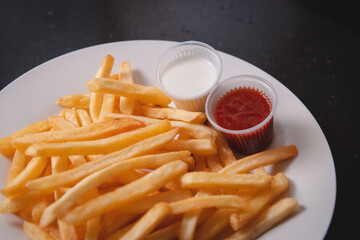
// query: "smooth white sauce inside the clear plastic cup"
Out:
[188,77]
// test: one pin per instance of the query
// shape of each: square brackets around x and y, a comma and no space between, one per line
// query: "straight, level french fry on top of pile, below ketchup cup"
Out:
[213,180]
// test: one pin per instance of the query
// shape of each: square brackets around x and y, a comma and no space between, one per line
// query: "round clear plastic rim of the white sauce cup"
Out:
[196,43]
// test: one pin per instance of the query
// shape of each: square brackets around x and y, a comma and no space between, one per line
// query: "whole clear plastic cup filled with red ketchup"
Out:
[242,108]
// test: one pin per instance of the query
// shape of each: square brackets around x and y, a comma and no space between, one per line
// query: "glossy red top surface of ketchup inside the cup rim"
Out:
[242,108]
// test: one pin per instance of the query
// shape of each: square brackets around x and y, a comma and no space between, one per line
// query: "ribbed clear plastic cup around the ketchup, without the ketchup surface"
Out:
[250,140]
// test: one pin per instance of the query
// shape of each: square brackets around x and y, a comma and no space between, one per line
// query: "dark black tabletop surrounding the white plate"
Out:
[312,47]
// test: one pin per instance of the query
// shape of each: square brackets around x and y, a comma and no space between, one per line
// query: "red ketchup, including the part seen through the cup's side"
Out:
[244,108]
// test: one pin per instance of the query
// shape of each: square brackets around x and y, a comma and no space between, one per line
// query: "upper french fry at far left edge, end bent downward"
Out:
[6,147]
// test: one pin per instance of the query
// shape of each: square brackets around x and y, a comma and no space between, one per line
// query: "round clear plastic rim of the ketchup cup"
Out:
[248,130]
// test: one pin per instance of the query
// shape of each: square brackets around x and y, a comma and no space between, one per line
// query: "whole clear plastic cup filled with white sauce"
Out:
[187,72]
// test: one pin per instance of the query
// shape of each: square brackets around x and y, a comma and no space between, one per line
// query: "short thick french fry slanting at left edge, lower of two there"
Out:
[17,186]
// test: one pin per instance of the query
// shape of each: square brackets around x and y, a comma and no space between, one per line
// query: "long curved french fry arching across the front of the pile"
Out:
[95,179]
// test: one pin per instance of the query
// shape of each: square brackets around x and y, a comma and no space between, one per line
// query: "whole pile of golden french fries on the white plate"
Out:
[119,163]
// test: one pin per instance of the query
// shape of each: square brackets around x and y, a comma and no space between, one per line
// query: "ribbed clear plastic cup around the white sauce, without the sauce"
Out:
[183,51]
